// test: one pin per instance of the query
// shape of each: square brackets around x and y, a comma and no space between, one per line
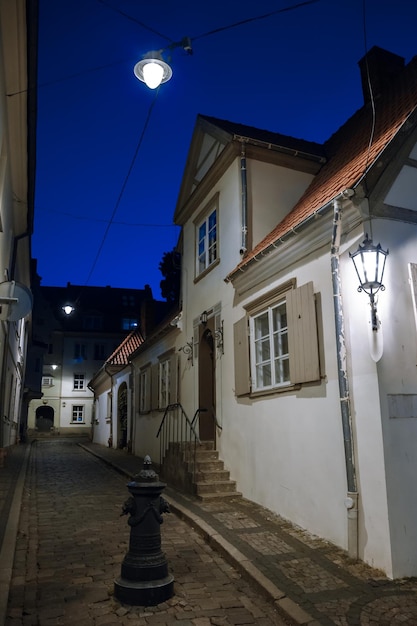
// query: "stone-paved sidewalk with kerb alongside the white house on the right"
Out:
[310,579]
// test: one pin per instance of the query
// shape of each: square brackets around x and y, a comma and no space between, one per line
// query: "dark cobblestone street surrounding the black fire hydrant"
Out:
[71,542]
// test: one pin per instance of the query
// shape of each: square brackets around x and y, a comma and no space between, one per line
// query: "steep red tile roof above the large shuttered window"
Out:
[350,153]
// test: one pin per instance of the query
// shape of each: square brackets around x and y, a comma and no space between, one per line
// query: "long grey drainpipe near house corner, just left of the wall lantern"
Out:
[351,501]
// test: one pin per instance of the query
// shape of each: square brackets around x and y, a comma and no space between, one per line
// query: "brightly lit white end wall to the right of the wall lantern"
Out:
[397,373]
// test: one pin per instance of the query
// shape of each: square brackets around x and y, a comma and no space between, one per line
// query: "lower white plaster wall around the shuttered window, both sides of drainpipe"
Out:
[292,442]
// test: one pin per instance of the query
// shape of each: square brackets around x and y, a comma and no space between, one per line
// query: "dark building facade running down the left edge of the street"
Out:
[18,37]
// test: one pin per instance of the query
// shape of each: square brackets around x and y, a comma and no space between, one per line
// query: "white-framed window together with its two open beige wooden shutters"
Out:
[276,342]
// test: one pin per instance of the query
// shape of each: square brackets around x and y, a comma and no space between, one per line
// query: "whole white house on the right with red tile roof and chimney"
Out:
[275,355]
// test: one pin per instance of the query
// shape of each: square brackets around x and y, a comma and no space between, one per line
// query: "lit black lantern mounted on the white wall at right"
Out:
[369,261]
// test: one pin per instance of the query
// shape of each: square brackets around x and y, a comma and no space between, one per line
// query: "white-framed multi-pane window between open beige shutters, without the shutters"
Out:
[269,347]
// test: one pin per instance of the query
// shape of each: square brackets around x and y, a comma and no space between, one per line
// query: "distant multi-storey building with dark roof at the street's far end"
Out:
[84,325]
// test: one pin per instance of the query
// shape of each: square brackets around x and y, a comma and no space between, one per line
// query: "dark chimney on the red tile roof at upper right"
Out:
[381,66]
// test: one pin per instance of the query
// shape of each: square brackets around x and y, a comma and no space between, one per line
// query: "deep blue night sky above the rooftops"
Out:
[295,72]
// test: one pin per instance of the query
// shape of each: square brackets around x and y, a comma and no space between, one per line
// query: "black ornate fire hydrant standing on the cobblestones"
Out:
[145,579]
